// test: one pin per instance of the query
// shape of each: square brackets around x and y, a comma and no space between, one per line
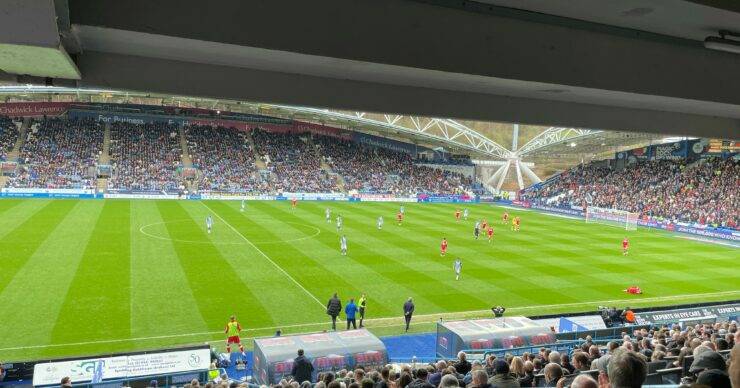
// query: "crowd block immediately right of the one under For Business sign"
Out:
[225,159]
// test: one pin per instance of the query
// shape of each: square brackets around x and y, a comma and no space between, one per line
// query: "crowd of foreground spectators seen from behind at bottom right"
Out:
[709,353]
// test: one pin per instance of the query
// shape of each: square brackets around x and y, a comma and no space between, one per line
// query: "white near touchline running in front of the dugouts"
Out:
[386,319]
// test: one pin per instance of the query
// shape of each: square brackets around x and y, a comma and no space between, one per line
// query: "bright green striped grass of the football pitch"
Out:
[85,277]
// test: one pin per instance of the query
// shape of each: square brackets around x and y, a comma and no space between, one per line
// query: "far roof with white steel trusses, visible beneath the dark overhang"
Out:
[484,141]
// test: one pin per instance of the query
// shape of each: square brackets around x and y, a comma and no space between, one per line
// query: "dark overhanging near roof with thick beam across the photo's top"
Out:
[623,65]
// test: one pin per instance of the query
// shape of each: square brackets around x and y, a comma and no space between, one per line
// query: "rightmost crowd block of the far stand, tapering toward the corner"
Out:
[378,170]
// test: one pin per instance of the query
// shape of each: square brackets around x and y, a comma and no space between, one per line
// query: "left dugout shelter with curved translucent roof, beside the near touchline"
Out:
[273,357]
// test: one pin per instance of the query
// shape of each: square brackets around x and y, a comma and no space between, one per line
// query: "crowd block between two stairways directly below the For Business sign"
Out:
[145,157]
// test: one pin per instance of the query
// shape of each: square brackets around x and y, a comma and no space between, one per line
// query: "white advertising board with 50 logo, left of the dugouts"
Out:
[125,367]
